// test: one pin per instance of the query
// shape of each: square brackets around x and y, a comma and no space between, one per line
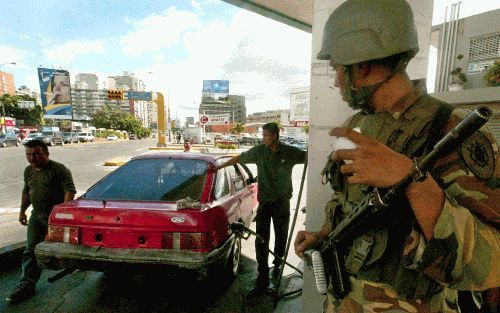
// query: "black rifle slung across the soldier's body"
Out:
[377,201]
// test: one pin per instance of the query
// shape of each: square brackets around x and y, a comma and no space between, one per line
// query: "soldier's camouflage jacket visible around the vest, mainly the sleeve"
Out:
[464,251]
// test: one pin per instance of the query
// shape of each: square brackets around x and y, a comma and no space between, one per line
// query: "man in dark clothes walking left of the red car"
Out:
[46,183]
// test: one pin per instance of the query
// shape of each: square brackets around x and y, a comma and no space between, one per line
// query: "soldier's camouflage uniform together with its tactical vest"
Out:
[403,272]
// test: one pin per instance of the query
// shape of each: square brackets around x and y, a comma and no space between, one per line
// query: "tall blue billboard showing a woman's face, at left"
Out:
[55,91]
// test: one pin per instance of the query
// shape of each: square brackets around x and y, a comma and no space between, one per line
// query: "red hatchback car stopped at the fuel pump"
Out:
[163,211]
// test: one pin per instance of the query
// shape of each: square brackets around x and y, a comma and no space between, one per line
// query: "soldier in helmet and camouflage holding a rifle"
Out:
[442,234]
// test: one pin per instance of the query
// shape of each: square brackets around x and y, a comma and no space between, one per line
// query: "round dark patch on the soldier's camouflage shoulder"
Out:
[477,153]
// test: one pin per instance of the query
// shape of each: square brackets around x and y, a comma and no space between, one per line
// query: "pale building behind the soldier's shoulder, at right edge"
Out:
[468,47]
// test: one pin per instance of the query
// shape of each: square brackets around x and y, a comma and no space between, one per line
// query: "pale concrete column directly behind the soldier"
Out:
[327,110]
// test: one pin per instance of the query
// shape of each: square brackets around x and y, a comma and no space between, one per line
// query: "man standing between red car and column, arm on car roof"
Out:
[275,162]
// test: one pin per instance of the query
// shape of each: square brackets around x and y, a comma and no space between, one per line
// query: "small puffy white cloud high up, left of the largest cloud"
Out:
[156,32]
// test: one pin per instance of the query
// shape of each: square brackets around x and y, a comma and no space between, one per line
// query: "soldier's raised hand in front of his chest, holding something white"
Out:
[373,163]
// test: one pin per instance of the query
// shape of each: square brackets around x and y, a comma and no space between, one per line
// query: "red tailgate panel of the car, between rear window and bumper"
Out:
[142,225]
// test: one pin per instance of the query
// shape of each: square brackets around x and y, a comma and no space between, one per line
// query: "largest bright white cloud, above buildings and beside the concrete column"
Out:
[263,63]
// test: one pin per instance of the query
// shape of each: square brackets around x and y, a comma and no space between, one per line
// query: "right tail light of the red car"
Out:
[200,242]
